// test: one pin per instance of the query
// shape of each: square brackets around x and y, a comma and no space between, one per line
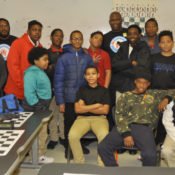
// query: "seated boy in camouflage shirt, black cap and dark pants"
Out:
[136,117]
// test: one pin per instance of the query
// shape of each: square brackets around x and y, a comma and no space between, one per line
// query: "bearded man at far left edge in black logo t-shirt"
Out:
[5,38]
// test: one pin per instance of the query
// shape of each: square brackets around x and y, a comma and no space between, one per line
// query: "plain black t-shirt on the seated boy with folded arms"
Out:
[91,96]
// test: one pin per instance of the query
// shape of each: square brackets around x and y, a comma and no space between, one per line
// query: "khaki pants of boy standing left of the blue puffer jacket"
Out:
[57,117]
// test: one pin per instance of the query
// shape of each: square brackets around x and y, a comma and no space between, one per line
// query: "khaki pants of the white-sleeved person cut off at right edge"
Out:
[168,151]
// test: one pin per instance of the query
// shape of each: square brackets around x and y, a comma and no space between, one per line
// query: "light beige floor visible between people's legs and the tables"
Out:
[125,159]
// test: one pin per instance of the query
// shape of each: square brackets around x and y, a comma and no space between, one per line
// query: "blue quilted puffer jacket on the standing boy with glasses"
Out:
[69,74]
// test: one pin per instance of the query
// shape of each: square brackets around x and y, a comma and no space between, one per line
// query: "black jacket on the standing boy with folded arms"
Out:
[123,72]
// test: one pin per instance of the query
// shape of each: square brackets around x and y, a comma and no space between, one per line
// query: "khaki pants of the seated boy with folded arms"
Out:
[98,124]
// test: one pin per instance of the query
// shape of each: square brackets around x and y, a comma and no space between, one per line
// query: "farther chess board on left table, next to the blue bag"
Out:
[20,119]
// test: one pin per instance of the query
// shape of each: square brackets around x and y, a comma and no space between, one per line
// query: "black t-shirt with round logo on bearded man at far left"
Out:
[5,46]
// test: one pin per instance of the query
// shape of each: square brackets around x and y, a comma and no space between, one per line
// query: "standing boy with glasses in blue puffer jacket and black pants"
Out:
[69,78]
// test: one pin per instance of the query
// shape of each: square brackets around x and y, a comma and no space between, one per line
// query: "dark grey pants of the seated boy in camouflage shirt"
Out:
[143,138]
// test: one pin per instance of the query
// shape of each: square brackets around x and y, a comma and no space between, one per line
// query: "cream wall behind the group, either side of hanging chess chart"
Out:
[85,15]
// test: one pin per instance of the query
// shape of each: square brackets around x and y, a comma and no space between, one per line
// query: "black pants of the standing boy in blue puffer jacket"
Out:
[69,118]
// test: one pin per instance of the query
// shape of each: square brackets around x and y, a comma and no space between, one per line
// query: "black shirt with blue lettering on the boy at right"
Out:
[163,71]
